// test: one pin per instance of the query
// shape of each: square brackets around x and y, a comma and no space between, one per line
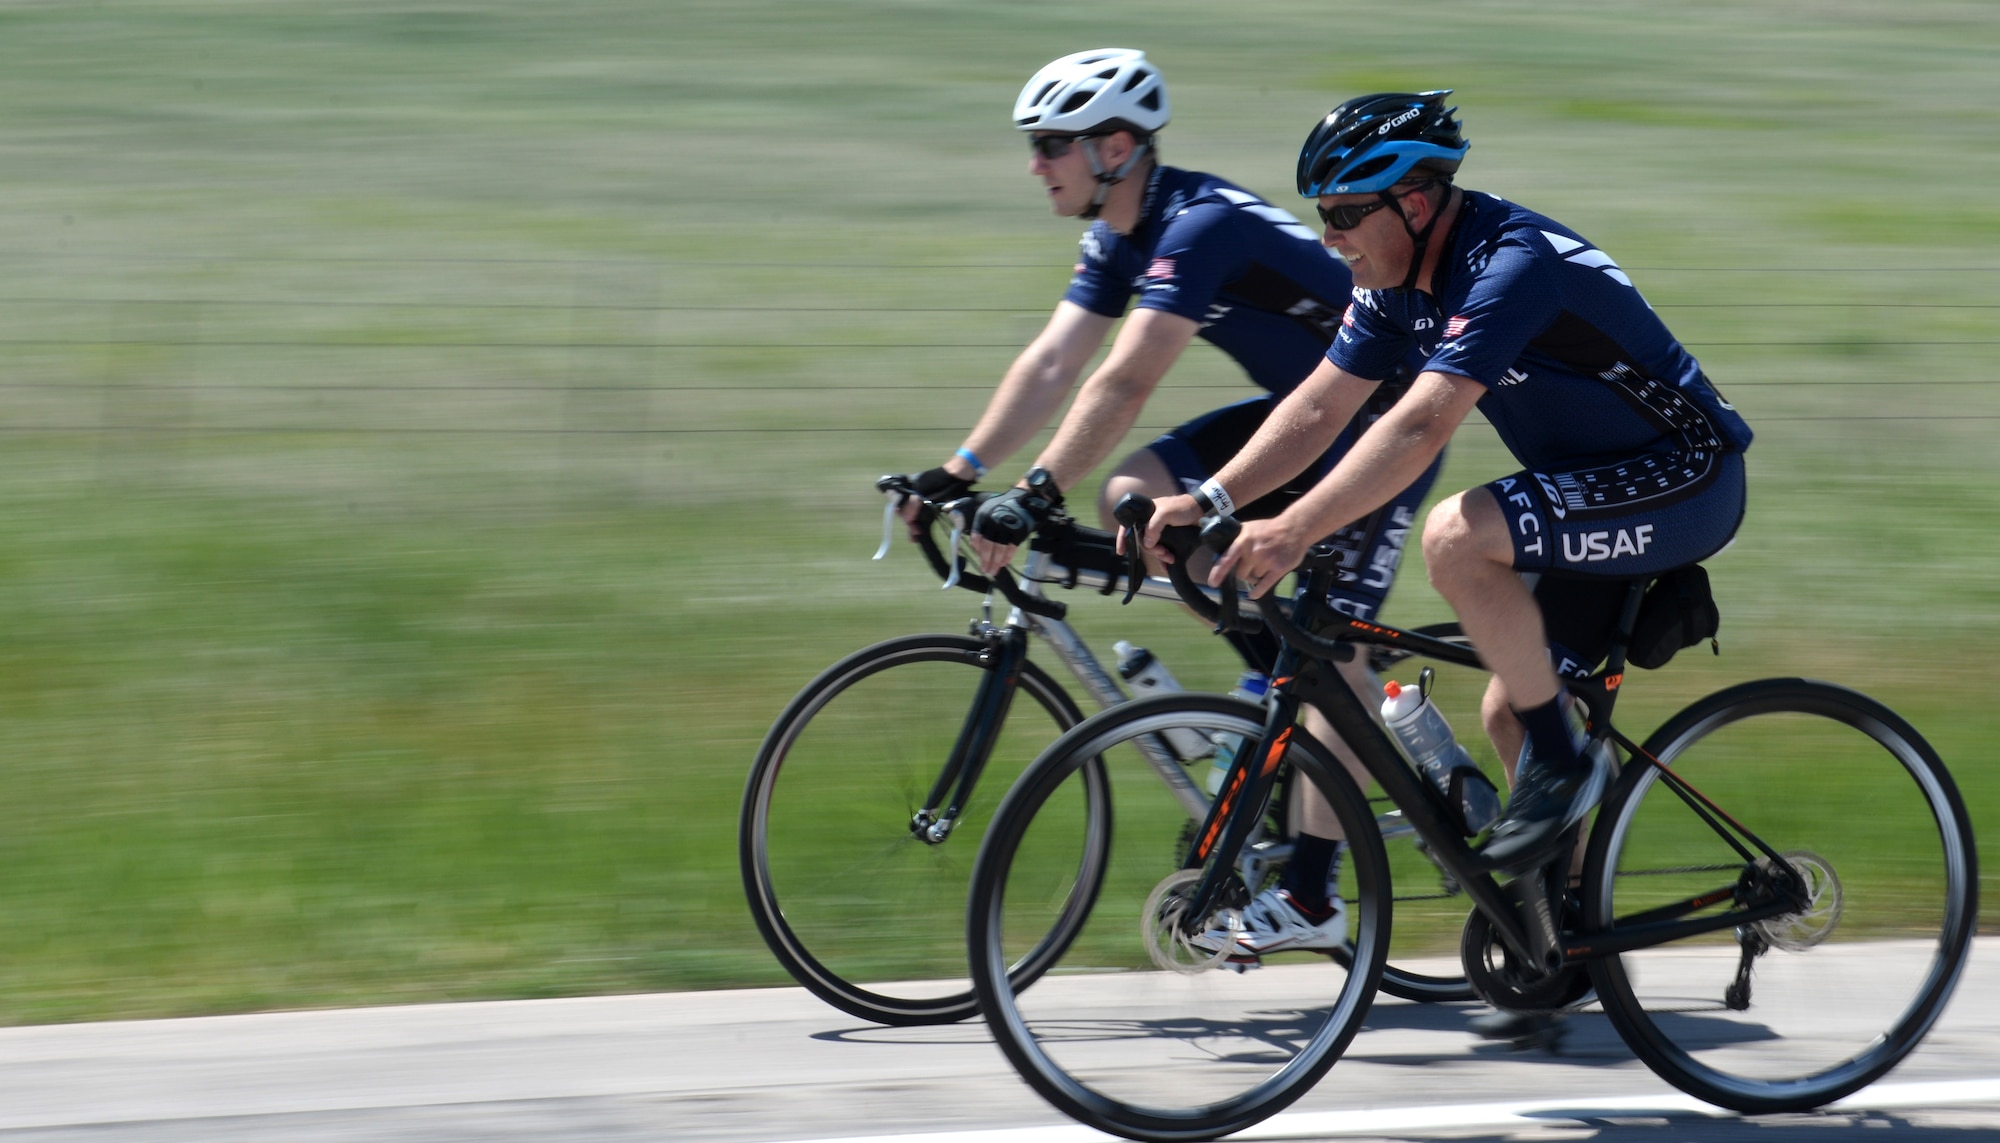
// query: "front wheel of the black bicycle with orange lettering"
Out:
[1191,1054]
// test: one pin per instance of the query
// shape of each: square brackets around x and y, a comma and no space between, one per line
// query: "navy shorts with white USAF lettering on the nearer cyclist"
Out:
[1637,517]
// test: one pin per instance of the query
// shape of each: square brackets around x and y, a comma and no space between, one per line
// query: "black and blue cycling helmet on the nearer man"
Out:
[1371,143]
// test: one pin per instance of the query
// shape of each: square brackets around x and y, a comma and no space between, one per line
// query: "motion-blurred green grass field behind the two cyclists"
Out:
[441,435]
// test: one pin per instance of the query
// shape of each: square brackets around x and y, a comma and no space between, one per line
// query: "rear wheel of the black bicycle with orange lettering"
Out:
[1797,1010]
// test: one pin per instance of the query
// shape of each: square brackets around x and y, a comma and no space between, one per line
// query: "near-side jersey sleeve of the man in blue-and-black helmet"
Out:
[1507,305]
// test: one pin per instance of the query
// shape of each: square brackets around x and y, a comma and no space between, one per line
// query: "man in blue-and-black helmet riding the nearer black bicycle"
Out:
[1633,461]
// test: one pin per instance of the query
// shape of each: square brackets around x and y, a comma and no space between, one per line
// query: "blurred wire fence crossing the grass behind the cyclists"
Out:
[215,337]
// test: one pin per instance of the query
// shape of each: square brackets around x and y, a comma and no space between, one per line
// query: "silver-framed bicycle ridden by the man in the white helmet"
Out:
[863,808]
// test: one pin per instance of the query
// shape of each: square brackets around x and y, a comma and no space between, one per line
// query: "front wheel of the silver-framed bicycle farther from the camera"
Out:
[859,910]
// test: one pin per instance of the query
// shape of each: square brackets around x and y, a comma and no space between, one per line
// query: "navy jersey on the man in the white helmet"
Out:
[1257,281]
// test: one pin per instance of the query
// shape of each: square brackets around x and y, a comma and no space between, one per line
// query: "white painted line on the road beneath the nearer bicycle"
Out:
[1501,1116]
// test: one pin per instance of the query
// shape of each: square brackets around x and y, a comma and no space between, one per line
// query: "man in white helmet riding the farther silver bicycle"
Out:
[1205,259]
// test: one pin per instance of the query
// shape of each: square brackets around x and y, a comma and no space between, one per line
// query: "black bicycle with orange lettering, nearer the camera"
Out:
[1767,958]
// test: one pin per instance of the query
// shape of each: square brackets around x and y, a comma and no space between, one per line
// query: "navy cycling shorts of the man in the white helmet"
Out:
[1371,549]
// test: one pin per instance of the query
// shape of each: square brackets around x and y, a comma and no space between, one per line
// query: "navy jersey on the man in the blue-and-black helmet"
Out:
[1577,365]
